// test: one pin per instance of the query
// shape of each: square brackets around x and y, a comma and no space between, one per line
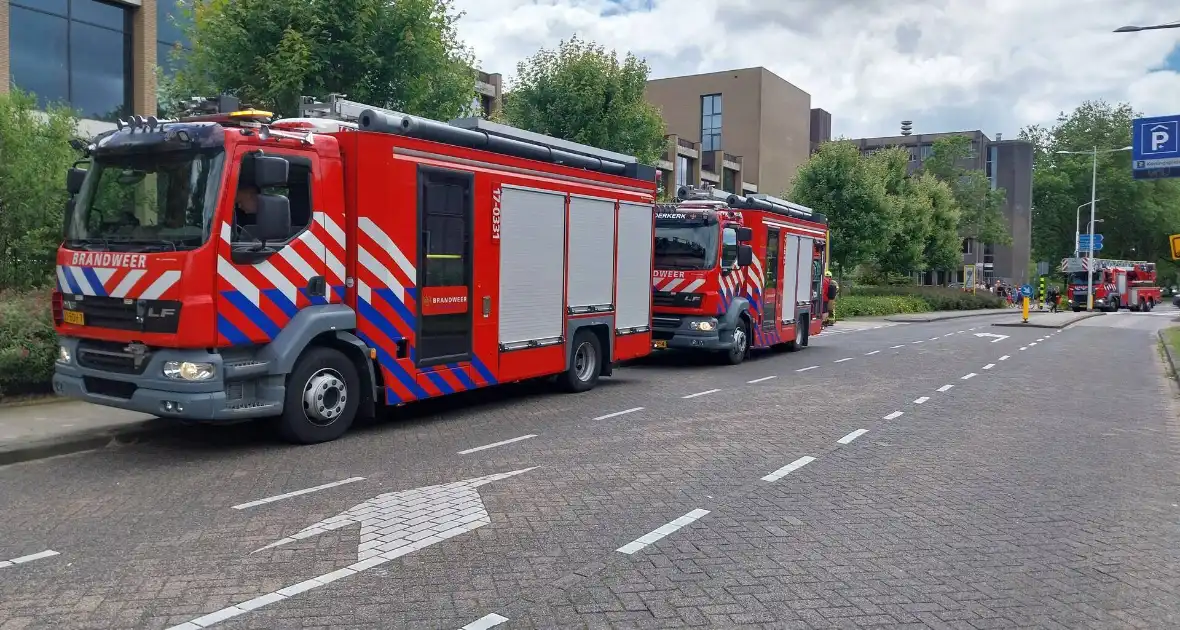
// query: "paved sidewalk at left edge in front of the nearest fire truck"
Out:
[54,429]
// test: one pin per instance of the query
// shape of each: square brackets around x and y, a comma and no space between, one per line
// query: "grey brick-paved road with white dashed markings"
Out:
[968,510]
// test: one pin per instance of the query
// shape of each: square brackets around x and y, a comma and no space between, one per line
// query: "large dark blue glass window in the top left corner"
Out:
[76,52]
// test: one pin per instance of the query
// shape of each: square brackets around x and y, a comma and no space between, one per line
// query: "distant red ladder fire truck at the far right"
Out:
[1117,284]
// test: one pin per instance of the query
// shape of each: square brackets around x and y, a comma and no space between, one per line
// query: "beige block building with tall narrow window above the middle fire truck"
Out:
[742,130]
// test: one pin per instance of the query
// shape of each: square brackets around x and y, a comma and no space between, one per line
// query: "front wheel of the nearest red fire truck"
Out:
[323,397]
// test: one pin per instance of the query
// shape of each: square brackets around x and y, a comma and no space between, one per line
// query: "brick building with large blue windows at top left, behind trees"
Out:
[101,56]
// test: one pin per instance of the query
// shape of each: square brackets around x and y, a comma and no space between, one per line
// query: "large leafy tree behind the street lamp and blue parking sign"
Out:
[1137,215]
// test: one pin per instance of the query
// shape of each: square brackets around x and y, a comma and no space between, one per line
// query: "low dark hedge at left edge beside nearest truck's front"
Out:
[28,344]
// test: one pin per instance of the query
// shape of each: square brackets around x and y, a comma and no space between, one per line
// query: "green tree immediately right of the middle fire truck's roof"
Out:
[841,185]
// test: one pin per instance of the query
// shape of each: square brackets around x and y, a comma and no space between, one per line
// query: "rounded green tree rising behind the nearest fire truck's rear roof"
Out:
[582,93]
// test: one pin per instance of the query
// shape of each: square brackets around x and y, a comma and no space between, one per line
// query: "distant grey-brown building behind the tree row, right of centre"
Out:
[1008,165]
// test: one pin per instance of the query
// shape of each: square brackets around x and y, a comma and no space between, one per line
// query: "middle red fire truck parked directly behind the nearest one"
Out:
[737,273]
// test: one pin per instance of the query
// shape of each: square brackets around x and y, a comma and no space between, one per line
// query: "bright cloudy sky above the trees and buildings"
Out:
[995,65]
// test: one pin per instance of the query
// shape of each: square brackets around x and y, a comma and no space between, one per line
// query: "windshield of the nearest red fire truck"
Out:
[147,202]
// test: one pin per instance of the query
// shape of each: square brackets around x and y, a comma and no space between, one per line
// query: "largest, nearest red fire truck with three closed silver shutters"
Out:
[221,268]
